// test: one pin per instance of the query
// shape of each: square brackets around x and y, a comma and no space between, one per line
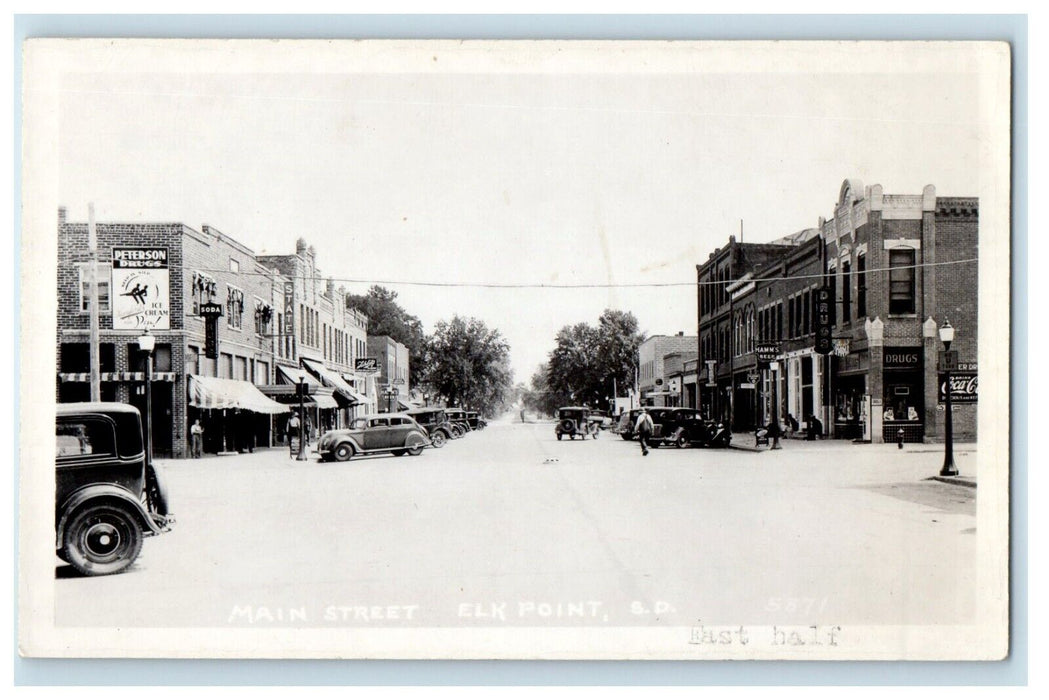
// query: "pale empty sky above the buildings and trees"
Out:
[604,171]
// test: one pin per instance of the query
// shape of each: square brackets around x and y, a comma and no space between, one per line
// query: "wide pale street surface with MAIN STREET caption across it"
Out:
[512,527]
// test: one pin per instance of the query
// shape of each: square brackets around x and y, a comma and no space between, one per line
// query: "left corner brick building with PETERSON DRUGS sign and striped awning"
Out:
[203,267]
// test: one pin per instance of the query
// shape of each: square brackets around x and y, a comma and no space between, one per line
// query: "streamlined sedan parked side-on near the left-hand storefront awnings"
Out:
[396,434]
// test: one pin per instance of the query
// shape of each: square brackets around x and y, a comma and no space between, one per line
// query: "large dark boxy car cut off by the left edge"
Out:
[109,495]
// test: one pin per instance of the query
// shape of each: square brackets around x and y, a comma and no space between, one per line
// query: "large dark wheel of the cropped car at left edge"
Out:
[103,540]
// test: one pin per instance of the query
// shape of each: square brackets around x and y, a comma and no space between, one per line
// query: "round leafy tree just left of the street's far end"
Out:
[468,365]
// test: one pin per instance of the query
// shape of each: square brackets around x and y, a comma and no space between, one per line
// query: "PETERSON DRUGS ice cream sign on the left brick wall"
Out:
[140,291]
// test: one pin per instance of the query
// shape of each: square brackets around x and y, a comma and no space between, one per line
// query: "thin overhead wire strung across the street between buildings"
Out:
[542,286]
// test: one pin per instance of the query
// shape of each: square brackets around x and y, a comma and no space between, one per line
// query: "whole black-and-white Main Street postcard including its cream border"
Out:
[516,350]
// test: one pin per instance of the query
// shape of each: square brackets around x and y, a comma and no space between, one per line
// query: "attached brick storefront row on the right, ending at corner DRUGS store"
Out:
[889,260]
